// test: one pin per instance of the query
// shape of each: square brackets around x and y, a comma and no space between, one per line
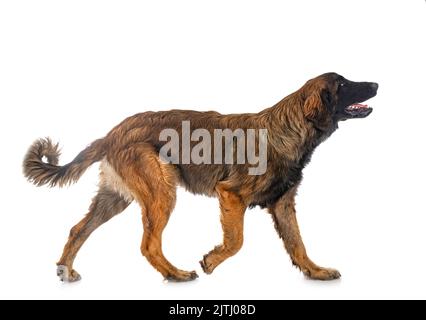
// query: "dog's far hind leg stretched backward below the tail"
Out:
[105,205]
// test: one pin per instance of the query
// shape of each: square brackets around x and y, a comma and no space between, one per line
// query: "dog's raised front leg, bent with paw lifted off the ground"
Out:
[232,219]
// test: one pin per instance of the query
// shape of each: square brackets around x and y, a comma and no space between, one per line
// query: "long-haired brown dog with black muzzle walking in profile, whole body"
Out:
[131,169]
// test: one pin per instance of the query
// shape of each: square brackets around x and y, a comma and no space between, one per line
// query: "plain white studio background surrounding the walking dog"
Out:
[72,70]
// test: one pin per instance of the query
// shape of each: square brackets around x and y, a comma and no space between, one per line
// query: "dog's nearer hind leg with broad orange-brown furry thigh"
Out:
[153,184]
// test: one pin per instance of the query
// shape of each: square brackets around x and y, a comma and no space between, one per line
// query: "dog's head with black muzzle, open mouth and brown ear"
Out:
[330,98]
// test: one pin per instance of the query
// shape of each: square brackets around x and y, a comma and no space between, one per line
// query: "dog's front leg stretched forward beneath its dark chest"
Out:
[284,215]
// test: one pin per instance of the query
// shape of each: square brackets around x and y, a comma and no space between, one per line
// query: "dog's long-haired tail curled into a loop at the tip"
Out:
[40,173]
